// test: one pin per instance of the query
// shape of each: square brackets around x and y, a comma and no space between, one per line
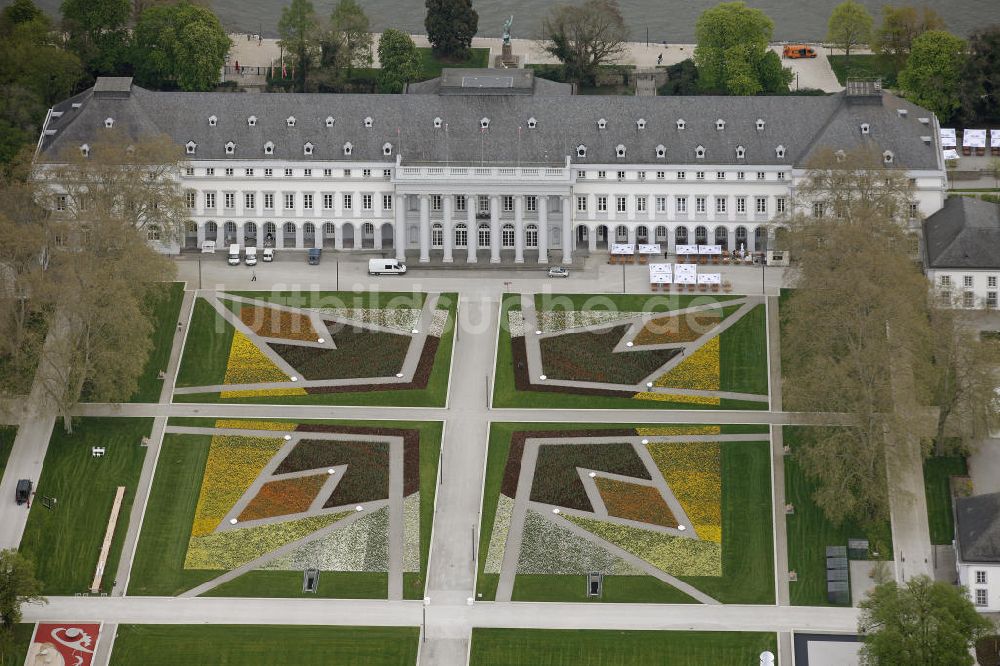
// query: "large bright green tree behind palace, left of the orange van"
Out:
[732,48]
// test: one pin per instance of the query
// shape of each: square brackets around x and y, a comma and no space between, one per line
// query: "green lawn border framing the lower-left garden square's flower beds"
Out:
[158,568]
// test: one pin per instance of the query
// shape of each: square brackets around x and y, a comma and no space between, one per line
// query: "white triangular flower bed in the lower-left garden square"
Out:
[361,546]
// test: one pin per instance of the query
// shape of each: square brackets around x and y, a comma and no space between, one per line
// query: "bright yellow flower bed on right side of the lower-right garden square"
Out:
[693,470]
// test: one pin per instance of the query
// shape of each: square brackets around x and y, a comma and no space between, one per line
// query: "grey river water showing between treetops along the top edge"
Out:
[670,21]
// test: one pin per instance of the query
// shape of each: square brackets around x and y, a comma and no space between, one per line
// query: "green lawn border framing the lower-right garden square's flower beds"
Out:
[748,570]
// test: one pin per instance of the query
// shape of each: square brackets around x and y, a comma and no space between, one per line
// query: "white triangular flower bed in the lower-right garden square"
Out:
[547,548]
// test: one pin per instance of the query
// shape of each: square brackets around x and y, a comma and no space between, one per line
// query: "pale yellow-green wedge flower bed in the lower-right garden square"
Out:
[677,556]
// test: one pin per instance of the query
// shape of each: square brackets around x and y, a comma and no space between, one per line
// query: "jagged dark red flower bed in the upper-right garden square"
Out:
[589,356]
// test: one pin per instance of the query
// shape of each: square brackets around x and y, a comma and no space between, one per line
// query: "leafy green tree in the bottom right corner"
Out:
[924,623]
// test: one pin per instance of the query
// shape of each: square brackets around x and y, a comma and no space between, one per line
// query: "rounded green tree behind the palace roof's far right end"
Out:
[932,76]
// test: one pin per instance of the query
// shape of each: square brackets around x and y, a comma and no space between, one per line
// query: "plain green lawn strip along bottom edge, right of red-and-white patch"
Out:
[264,645]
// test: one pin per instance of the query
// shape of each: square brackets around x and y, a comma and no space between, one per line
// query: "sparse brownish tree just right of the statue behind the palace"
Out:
[583,37]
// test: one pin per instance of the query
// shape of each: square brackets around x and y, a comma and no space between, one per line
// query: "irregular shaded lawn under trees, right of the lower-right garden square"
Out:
[810,532]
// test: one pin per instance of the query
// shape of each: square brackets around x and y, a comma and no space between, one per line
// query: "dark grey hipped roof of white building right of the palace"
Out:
[965,233]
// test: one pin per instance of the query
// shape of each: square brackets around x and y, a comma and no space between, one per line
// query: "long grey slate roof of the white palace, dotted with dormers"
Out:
[800,124]
